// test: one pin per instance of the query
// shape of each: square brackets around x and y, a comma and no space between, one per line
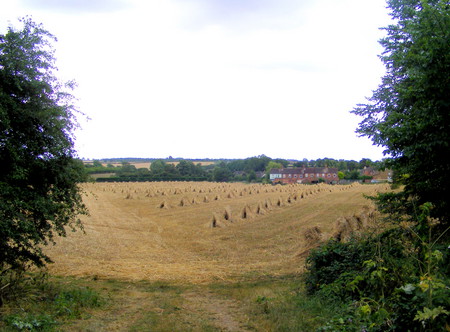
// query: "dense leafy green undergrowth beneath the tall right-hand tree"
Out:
[394,280]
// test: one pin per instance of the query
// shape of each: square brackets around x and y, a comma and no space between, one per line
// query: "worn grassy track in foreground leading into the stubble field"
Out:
[164,307]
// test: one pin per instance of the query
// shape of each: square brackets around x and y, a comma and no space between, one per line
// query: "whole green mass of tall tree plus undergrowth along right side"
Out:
[397,278]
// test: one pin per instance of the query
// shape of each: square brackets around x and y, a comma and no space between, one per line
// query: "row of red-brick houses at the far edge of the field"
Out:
[304,175]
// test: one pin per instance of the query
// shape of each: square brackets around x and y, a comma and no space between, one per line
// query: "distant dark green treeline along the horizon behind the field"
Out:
[254,169]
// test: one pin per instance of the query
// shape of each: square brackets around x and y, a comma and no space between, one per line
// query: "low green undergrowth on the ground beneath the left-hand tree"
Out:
[30,302]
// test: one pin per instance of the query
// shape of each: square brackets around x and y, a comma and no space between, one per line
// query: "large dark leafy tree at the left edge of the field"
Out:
[39,178]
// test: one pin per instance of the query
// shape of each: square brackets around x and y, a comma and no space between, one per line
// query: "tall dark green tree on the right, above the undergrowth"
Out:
[409,113]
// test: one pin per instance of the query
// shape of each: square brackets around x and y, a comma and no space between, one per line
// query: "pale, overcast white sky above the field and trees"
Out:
[216,78]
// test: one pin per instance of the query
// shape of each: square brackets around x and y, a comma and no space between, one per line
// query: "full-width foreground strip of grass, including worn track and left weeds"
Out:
[256,304]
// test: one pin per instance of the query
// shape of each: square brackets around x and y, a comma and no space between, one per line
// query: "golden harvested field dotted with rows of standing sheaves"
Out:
[201,232]
